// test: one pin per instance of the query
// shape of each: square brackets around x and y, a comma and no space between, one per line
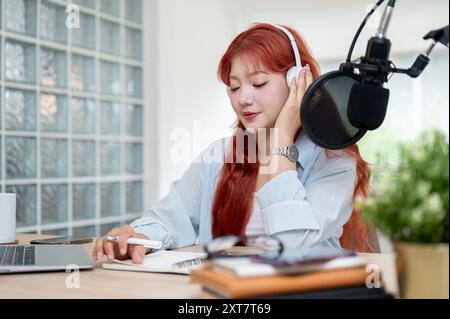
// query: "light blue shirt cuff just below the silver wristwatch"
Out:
[284,187]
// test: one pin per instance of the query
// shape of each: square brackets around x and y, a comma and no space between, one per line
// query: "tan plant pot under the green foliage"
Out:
[422,270]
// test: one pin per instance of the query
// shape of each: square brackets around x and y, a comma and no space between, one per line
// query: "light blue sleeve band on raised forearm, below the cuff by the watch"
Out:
[289,215]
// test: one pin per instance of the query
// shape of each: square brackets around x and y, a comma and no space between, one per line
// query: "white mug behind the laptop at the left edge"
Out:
[7,218]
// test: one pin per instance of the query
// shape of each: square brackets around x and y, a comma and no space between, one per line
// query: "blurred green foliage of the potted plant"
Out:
[409,202]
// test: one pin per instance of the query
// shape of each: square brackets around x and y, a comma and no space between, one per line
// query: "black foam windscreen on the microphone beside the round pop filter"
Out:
[367,106]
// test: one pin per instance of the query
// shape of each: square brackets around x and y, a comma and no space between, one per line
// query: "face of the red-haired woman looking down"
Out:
[256,95]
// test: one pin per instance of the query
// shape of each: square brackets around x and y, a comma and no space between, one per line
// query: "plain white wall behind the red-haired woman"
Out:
[190,36]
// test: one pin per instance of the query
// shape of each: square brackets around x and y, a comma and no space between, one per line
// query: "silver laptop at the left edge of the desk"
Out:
[36,258]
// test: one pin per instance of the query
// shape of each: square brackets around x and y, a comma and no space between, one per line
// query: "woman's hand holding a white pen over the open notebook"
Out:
[120,250]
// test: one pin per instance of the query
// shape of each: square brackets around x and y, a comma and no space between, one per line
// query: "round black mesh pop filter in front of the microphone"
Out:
[324,111]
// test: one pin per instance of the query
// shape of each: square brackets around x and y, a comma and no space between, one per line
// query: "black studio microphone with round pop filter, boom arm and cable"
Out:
[339,107]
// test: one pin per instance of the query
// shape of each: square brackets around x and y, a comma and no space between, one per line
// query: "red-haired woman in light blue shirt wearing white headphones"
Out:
[305,201]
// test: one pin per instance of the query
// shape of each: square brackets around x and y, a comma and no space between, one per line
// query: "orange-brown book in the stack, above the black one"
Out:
[231,286]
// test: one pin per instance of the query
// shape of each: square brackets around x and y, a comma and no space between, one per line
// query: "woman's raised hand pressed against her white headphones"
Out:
[288,121]
